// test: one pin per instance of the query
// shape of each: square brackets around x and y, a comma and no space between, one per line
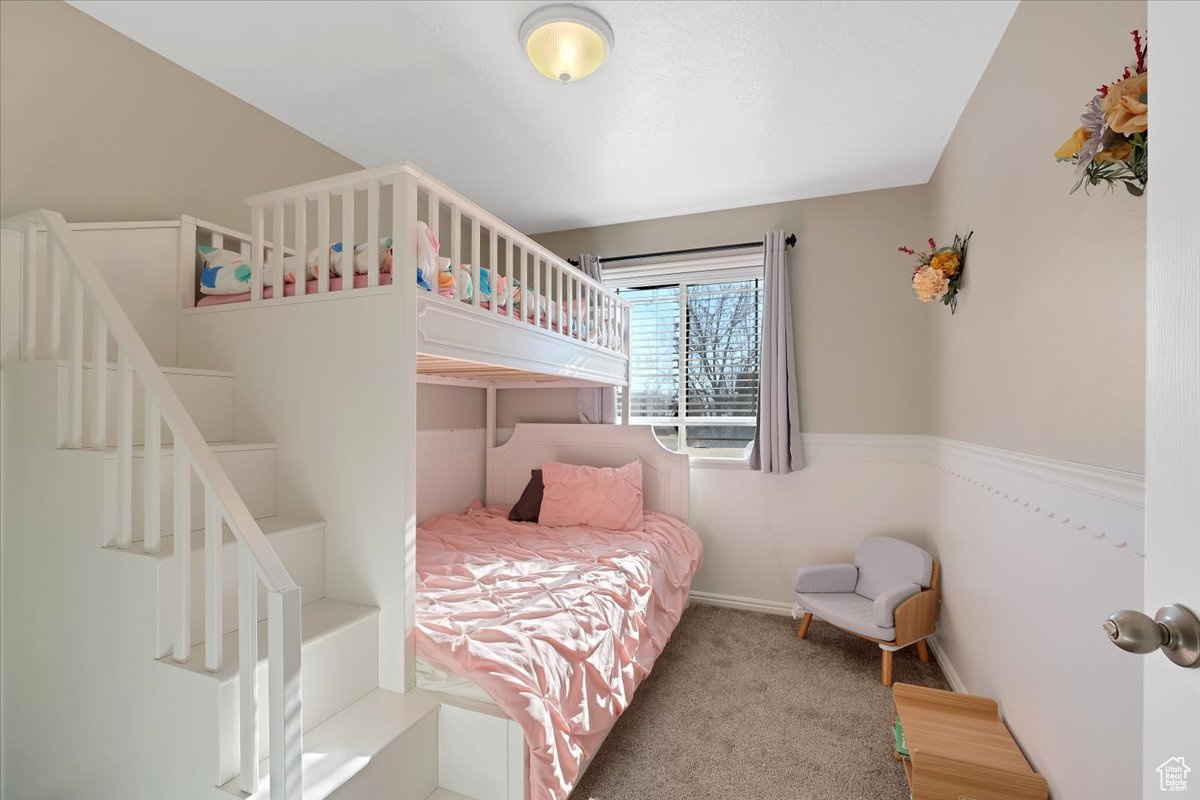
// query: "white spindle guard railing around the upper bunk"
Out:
[556,298]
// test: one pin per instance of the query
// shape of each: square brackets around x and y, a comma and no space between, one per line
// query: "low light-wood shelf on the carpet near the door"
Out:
[959,747]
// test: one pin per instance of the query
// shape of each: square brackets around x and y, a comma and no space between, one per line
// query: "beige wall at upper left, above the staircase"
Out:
[101,129]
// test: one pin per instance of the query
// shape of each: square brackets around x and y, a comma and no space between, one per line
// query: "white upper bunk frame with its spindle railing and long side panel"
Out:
[578,334]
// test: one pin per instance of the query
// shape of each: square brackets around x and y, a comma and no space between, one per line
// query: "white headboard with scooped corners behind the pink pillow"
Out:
[665,474]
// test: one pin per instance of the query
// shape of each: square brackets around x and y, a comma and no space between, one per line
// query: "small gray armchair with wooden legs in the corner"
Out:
[889,596]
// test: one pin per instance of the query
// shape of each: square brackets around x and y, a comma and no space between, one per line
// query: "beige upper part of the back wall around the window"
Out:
[859,333]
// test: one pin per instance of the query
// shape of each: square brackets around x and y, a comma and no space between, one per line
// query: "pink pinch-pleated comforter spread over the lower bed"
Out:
[559,625]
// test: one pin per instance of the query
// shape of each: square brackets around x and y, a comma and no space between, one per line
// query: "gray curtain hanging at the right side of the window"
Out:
[777,442]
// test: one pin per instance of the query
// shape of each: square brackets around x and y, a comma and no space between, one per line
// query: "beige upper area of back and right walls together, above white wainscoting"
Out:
[1047,353]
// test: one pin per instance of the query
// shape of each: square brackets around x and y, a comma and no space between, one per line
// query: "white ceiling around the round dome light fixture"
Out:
[701,106]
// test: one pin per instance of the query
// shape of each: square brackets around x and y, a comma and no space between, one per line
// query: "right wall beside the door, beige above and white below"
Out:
[1047,357]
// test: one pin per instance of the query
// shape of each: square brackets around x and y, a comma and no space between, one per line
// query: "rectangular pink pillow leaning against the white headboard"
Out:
[601,497]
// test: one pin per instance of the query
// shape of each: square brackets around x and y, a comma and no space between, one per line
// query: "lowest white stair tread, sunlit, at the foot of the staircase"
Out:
[343,745]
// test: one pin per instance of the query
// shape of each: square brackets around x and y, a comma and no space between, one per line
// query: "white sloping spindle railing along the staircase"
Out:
[67,266]
